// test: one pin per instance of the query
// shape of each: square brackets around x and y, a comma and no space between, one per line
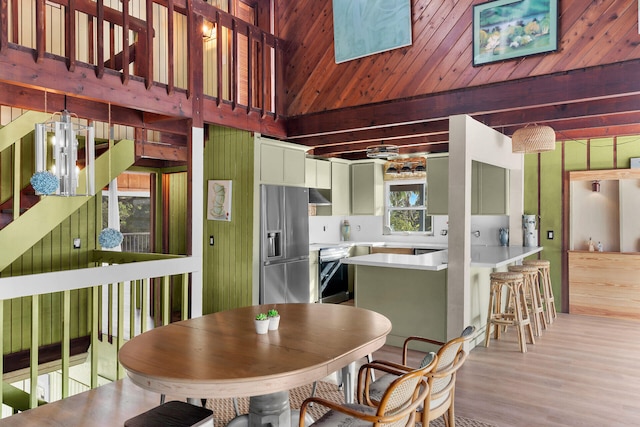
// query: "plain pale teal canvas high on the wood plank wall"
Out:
[366,27]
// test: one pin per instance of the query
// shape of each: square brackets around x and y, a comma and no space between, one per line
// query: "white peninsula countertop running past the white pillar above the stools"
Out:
[481,256]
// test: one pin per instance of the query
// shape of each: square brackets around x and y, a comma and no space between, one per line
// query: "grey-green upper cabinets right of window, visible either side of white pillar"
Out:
[489,188]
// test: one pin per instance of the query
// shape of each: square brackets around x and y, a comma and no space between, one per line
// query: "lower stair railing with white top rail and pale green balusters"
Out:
[119,305]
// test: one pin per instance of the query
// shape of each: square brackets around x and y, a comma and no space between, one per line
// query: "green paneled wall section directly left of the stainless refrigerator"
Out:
[227,271]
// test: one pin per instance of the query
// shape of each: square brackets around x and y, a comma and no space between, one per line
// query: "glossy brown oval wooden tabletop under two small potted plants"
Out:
[220,355]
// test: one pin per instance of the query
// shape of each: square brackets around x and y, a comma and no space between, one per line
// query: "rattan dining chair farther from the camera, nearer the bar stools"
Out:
[441,379]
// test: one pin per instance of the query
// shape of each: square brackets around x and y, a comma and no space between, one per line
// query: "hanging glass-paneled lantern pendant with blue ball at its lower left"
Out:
[63,177]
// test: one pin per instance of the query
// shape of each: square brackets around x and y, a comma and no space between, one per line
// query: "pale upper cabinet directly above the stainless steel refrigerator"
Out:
[281,163]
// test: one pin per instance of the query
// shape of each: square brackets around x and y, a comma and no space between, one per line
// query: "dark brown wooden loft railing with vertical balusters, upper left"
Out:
[161,42]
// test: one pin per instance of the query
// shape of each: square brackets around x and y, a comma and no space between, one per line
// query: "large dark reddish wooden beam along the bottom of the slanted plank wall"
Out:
[586,85]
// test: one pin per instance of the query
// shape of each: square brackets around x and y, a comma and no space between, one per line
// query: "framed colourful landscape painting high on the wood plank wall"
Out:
[506,29]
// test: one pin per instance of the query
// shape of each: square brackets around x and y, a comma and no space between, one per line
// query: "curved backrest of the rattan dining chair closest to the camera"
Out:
[404,395]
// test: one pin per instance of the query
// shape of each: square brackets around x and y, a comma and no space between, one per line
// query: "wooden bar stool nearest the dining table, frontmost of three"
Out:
[514,310]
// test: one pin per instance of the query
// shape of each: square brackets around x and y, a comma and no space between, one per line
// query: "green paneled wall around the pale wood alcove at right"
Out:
[546,171]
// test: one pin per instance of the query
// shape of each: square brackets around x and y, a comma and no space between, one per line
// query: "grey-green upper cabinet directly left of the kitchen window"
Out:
[367,189]
